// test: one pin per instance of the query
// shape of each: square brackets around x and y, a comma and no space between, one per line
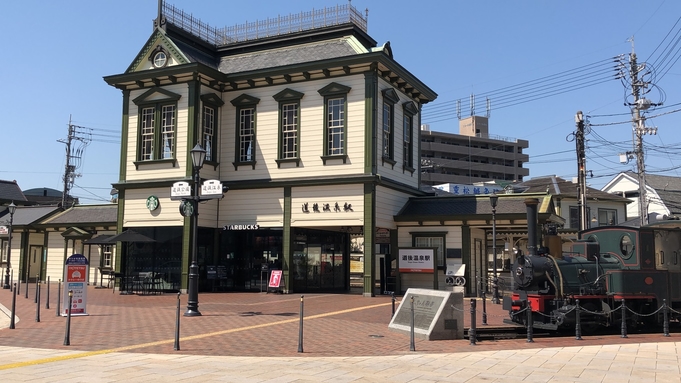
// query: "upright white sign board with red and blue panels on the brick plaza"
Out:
[75,273]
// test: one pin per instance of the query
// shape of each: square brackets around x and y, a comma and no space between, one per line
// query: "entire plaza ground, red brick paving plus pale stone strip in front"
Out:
[254,337]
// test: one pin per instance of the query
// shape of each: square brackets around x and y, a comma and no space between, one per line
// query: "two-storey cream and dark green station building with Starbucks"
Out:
[314,129]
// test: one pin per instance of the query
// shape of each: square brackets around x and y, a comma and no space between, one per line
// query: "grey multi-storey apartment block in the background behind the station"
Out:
[472,156]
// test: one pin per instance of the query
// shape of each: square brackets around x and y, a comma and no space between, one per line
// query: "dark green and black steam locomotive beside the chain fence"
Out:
[605,267]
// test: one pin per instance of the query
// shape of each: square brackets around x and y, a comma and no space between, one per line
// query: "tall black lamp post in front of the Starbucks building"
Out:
[198,156]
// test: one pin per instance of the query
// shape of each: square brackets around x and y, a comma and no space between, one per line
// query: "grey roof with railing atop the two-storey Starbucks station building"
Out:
[263,60]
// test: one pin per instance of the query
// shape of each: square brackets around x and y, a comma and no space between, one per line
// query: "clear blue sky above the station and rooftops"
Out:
[538,62]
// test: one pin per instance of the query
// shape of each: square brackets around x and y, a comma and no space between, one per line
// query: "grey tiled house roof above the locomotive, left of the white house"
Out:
[565,189]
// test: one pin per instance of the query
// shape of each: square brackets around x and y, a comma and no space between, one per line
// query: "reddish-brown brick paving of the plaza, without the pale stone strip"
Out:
[253,324]
